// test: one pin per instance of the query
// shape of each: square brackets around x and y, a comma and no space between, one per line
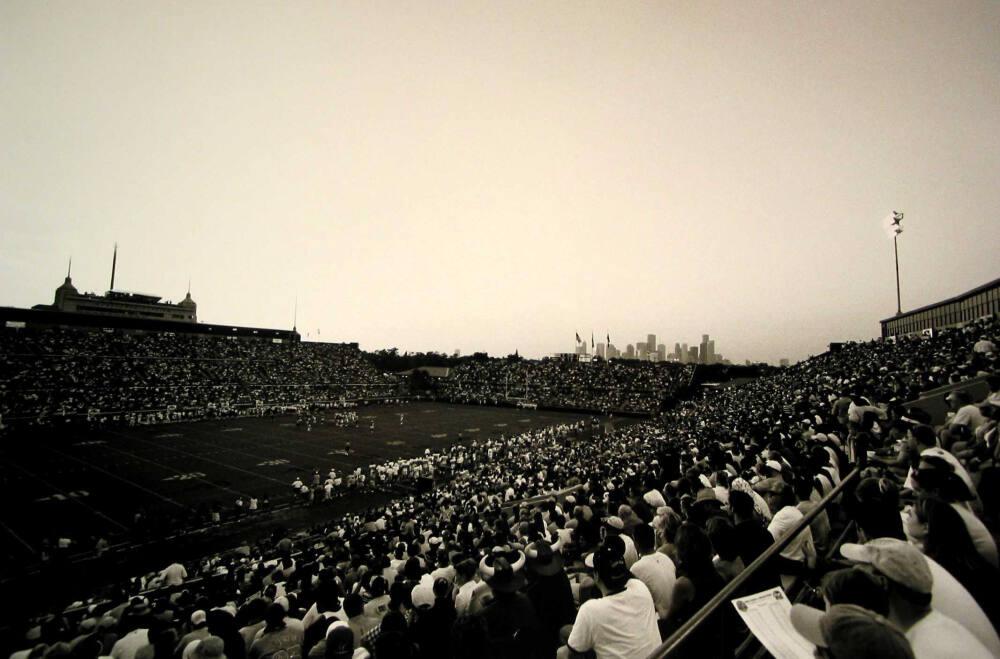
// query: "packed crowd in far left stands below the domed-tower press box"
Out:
[57,376]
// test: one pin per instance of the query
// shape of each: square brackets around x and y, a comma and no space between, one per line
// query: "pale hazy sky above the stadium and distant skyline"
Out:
[499,175]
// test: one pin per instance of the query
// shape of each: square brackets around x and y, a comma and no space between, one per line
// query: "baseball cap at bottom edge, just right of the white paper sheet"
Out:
[848,630]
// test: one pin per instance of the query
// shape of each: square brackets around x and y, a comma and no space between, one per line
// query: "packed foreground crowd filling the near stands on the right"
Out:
[544,544]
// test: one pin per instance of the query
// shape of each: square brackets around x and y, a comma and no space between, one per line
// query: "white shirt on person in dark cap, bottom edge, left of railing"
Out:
[619,626]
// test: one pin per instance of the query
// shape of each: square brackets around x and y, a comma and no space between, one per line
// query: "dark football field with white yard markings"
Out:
[85,484]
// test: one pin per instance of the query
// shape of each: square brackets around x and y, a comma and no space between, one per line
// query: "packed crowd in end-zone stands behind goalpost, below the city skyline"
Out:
[597,385]
